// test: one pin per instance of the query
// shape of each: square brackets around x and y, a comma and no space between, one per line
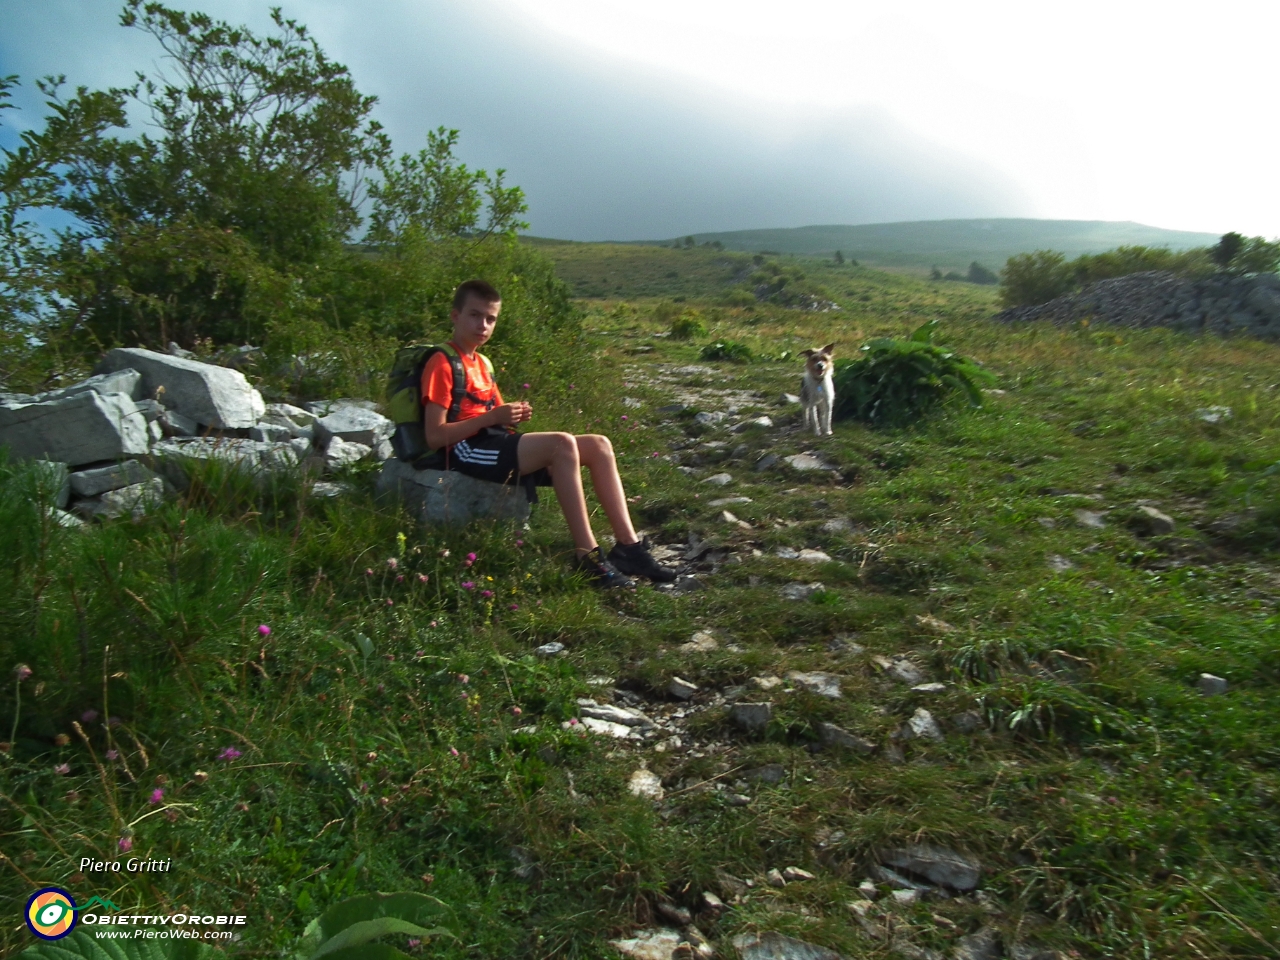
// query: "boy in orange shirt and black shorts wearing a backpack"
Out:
[482,442]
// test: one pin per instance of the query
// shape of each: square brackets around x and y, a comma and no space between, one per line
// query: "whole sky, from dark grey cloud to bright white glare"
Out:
[647,121]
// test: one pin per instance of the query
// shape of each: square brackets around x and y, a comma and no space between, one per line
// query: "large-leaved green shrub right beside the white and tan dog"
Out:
[895,382]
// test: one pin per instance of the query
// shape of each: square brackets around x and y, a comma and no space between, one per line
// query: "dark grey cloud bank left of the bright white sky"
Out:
[604,150]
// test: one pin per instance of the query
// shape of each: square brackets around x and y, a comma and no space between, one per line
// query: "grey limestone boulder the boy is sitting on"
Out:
[450,497]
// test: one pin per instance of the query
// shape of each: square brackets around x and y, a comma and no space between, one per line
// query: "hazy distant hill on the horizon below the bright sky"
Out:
[953,245]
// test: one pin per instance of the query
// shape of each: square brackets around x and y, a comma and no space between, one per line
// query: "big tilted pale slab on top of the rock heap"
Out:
[212,396]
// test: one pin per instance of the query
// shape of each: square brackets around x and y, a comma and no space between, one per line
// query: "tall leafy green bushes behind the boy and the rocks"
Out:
[234,220]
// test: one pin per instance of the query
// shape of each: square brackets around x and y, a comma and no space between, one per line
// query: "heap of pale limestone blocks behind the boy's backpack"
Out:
[115,441]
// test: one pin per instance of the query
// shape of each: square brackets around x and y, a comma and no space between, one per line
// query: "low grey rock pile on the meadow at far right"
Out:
[1222,304]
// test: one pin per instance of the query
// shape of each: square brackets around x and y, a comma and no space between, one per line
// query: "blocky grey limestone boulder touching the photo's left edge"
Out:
[79,429]
